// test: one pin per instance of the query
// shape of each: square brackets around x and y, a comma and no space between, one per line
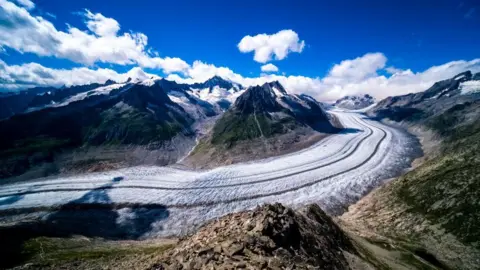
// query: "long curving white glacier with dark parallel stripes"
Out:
[334,173]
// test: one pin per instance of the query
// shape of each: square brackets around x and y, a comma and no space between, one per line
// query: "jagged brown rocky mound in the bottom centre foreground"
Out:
[269,237]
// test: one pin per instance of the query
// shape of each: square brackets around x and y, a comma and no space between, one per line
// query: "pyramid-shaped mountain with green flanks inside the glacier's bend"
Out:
[264,121]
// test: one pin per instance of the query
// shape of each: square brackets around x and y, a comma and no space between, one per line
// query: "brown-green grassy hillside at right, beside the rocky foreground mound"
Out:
[437,204]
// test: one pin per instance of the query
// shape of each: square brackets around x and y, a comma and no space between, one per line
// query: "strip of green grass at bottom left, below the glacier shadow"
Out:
[85,253]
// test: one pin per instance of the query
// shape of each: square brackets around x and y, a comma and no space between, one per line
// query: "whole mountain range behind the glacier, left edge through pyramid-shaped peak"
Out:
[152,121]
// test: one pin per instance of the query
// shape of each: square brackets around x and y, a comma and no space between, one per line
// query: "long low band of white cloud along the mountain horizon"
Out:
[336,84]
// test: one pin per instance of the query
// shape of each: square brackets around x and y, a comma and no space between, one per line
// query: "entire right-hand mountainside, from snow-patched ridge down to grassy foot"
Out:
[434,205]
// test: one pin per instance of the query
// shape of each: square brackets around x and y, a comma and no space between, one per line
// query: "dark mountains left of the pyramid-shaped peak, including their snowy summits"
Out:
[98,125]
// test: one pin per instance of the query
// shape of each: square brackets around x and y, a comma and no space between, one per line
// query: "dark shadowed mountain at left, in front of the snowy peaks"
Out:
[138,115]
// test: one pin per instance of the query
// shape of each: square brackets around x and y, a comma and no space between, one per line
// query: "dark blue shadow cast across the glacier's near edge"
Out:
[96,215]
